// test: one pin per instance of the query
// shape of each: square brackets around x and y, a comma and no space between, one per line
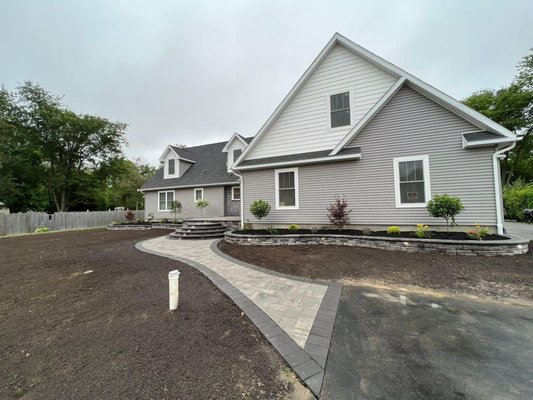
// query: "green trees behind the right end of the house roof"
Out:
[512,107]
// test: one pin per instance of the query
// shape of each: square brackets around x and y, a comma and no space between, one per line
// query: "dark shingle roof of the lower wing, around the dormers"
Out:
[209,168]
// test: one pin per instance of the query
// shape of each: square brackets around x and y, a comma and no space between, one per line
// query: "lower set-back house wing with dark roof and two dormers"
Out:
[190,174]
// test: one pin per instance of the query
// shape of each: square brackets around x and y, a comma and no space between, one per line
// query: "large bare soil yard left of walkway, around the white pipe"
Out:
[109,335]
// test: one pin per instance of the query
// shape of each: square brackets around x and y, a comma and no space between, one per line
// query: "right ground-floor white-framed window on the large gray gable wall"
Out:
[411,181]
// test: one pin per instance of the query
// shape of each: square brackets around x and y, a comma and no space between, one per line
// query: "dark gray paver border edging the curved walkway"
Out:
[308,362]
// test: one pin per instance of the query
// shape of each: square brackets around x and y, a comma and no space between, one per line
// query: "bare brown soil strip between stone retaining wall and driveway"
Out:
[499,276]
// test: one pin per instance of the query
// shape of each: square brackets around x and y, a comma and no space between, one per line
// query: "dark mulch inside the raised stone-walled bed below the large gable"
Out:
[355,232]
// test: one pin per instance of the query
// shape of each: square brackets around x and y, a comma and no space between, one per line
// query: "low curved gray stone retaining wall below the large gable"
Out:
[510,247]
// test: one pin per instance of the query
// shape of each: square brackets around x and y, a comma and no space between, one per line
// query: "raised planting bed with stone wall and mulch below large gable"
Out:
[492,245]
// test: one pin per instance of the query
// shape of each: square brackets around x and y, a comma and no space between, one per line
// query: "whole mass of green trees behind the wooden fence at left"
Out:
[54,158]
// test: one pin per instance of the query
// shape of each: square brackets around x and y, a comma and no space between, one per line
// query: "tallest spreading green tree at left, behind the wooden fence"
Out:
[68,147]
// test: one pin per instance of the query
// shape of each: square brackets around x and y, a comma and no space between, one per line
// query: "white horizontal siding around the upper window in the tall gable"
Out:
[303,125]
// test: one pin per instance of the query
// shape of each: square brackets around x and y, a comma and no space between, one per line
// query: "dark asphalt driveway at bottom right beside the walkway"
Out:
[392,344]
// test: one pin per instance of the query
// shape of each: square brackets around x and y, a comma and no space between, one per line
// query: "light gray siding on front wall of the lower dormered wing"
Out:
[215,196]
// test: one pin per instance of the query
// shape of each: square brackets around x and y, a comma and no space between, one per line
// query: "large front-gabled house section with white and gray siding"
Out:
[357,125]
